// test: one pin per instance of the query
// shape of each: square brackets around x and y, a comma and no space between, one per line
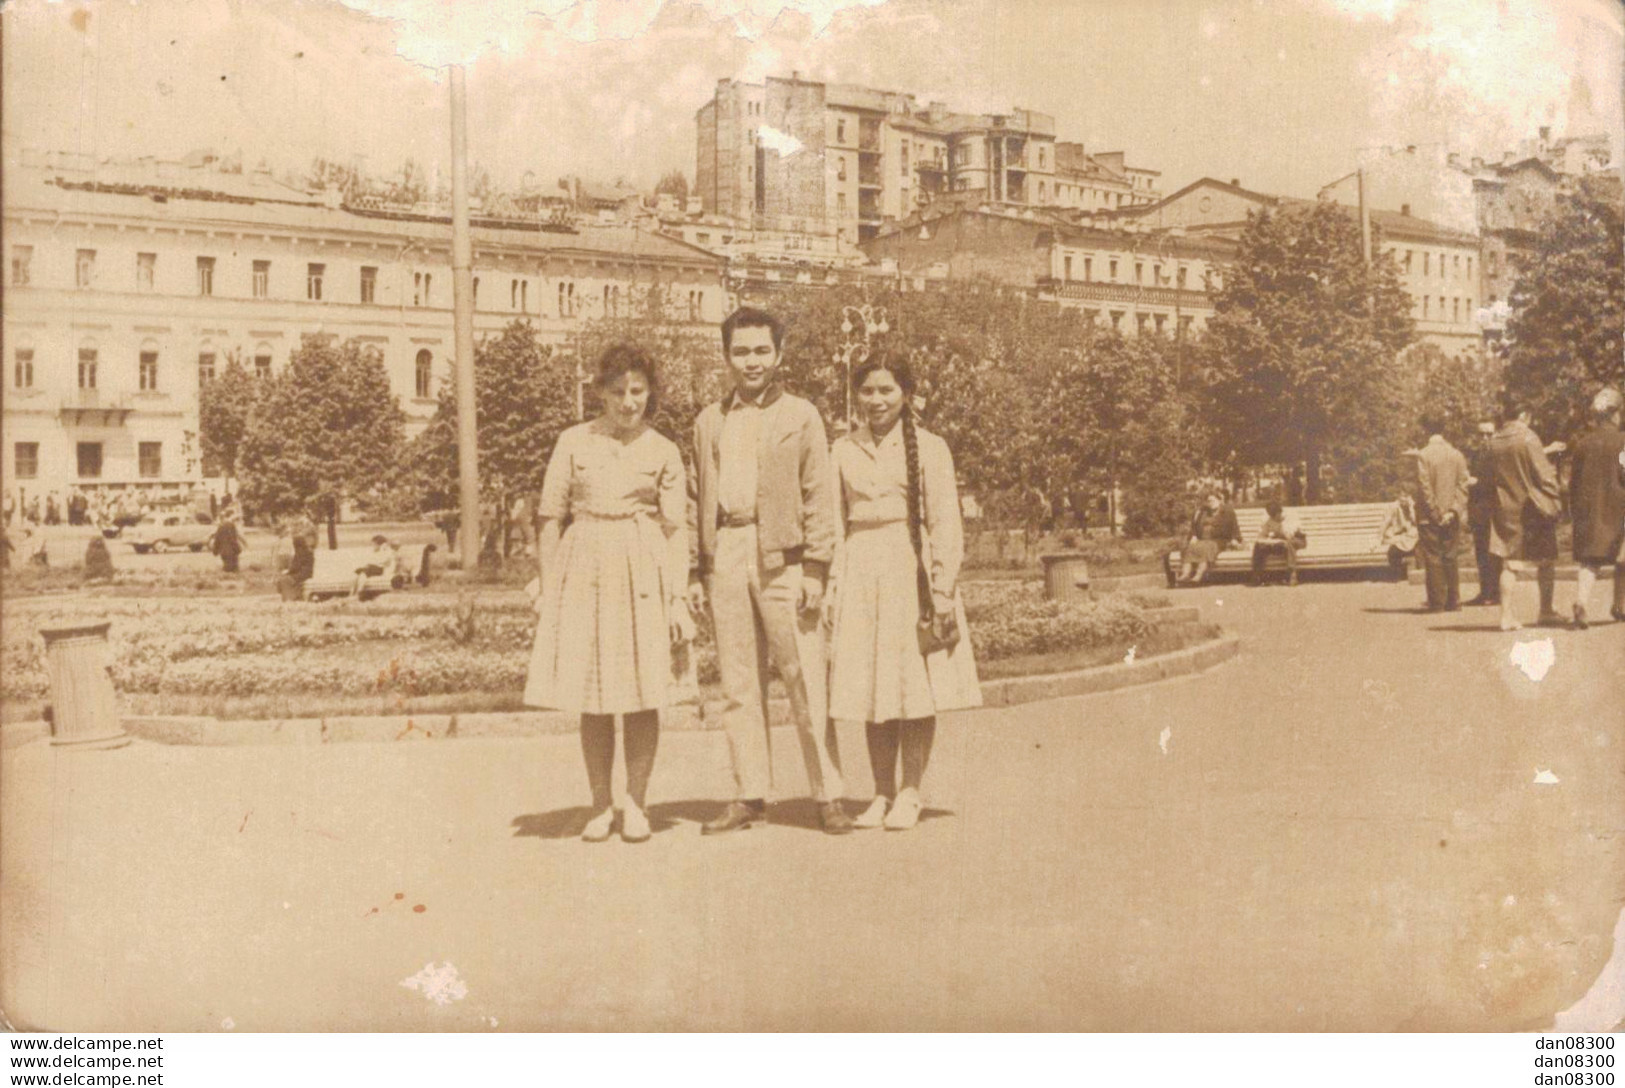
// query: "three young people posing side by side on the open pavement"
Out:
[836,568]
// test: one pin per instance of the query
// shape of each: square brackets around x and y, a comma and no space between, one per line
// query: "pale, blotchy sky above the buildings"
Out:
[1281,95]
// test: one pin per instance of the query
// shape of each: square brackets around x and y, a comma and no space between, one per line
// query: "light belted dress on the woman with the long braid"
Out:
[877,668]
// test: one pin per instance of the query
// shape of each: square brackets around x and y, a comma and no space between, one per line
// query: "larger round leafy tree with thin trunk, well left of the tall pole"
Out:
[326,431]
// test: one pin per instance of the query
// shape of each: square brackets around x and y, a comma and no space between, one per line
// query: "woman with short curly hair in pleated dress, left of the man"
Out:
[613,624]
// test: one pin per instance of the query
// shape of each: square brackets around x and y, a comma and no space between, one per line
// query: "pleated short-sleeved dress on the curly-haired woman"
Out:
[604,644]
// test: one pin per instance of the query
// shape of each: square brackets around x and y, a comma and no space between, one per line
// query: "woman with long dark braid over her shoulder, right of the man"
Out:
[890,667]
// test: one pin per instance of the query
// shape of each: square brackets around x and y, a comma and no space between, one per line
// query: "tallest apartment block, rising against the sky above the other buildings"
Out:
[797,153]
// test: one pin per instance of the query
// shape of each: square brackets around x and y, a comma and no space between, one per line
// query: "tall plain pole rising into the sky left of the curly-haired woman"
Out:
[464,329]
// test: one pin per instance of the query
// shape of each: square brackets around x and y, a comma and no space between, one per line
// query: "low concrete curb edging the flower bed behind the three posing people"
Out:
[378,730]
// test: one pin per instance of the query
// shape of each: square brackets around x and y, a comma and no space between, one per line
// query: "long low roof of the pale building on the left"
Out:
[43,192]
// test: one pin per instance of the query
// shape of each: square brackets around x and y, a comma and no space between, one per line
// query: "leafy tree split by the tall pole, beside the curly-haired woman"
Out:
[524,400]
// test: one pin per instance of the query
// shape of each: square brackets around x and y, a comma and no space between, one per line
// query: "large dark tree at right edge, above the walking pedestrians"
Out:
[1567,329]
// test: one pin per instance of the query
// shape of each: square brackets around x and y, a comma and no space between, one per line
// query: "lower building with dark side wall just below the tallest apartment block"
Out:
[1120,277]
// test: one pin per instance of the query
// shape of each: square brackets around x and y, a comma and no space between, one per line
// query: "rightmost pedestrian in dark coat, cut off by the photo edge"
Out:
[1597,498]
